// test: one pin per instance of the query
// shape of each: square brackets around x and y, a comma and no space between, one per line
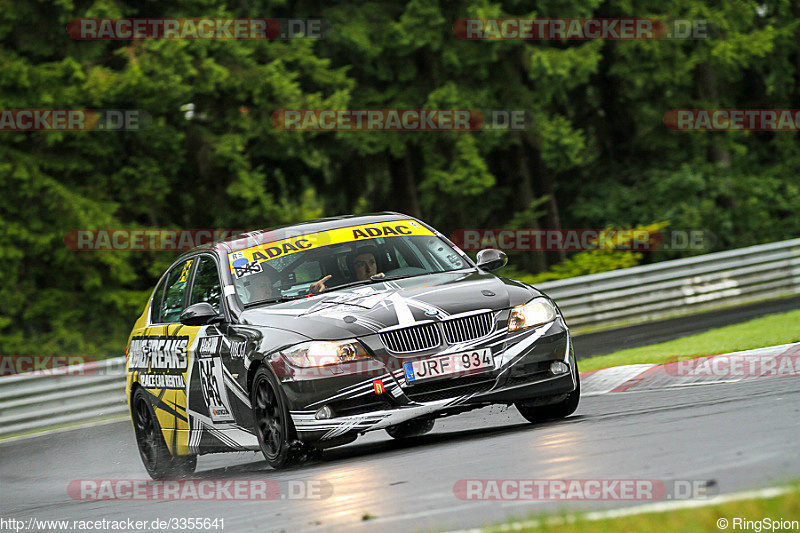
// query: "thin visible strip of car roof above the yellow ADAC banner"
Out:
[253,238]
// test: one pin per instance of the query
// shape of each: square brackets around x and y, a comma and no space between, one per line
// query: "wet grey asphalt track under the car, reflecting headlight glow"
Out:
[740,435]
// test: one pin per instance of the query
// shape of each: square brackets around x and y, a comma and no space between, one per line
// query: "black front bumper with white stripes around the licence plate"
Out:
[375,395]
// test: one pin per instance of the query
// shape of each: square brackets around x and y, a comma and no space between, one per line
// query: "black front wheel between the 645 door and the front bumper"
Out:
[273,426]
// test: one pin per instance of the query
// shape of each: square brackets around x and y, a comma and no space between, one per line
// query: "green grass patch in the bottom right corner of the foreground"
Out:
[784,507]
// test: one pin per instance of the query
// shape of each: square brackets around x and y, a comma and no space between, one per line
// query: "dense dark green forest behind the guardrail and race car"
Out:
[597,153]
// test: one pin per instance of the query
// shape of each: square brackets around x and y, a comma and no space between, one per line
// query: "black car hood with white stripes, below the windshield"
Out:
[366,309]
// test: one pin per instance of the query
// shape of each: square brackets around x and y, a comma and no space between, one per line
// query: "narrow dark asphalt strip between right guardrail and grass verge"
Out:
[603,342]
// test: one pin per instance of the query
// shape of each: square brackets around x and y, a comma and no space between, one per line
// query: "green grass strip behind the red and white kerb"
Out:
[770,330]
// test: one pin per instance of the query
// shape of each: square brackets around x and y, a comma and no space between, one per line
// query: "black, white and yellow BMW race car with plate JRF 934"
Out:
[300,338]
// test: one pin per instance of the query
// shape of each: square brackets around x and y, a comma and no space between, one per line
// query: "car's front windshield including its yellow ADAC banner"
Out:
[287,269]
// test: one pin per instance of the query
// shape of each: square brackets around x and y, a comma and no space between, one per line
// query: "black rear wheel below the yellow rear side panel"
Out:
[157,460]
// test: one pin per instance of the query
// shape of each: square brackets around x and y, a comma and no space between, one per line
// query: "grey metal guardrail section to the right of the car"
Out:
[646,292]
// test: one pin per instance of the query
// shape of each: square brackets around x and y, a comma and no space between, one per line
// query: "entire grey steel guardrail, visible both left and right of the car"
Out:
[93,391]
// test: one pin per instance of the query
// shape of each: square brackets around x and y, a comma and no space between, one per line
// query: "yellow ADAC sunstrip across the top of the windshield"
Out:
[247,261]
